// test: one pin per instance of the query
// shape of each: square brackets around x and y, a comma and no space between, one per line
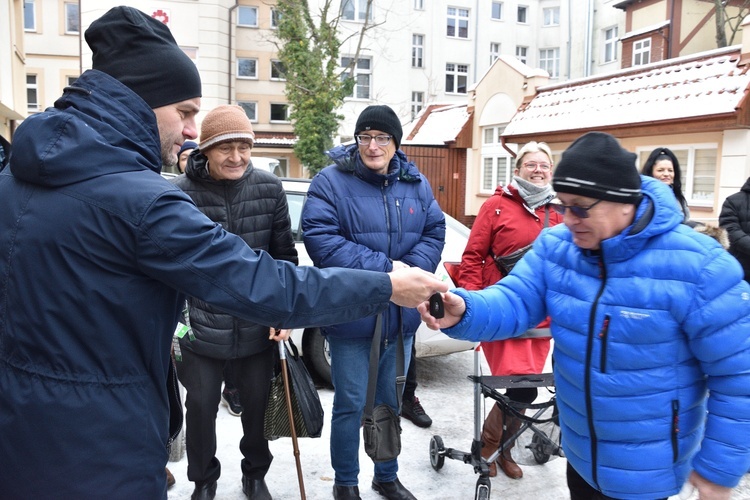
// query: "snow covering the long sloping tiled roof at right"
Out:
[674,89]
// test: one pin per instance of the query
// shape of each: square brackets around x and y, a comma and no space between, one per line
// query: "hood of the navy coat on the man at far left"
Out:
[42,152]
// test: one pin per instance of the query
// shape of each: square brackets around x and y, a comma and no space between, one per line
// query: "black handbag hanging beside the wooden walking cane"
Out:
[306,408]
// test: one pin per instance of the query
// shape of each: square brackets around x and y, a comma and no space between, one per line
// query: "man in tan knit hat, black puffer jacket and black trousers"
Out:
[251,204]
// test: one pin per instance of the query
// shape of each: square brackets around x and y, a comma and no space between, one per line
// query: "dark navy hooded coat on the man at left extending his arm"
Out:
[97,253]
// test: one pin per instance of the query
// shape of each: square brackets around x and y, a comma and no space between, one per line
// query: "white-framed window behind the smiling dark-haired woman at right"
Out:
[686,155]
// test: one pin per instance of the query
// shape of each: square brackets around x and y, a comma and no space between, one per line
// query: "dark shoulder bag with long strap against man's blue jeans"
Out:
[381,426]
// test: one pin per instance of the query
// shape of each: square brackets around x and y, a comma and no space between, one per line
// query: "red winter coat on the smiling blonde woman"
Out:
[505,224]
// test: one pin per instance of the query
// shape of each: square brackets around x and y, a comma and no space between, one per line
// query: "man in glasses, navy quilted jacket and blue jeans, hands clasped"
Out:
[371,209]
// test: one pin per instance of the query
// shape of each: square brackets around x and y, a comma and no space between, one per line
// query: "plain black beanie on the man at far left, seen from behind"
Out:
[141,52]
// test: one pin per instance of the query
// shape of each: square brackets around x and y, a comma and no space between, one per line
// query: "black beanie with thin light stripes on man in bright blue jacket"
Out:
[596,166]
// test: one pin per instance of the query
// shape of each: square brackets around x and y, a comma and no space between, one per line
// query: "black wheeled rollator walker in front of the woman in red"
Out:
[543,445]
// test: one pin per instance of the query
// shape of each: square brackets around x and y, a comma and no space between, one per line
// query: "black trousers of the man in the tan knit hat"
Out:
[202,377]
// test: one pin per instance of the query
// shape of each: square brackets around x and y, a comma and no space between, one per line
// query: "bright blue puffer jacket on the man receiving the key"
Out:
[642,330]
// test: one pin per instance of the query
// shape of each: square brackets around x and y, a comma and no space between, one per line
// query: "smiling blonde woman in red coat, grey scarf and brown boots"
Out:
[507,224]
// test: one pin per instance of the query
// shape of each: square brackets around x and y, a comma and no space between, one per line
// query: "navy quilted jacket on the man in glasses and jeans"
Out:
[359,219]
